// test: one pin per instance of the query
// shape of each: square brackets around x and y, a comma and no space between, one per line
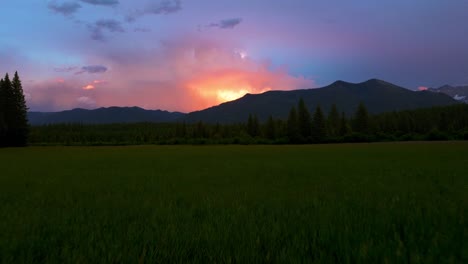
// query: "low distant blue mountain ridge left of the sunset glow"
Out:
[103,116]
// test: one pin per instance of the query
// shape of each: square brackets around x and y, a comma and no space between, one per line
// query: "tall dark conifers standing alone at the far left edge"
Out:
[14,127]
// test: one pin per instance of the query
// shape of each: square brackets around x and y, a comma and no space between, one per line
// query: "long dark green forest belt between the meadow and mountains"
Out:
[301,127]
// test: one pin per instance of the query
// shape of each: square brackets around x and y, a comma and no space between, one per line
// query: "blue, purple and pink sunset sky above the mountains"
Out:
[186,55]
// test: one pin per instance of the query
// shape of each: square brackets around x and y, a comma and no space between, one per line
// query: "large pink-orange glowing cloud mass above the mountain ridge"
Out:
[185,75]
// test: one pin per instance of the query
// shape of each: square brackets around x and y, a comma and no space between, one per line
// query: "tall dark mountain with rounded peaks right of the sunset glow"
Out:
[379,96]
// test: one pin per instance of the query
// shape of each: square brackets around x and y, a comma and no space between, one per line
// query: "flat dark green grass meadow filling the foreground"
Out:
[351,203]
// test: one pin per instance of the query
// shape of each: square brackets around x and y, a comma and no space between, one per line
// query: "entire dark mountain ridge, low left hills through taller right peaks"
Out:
[378,96]
